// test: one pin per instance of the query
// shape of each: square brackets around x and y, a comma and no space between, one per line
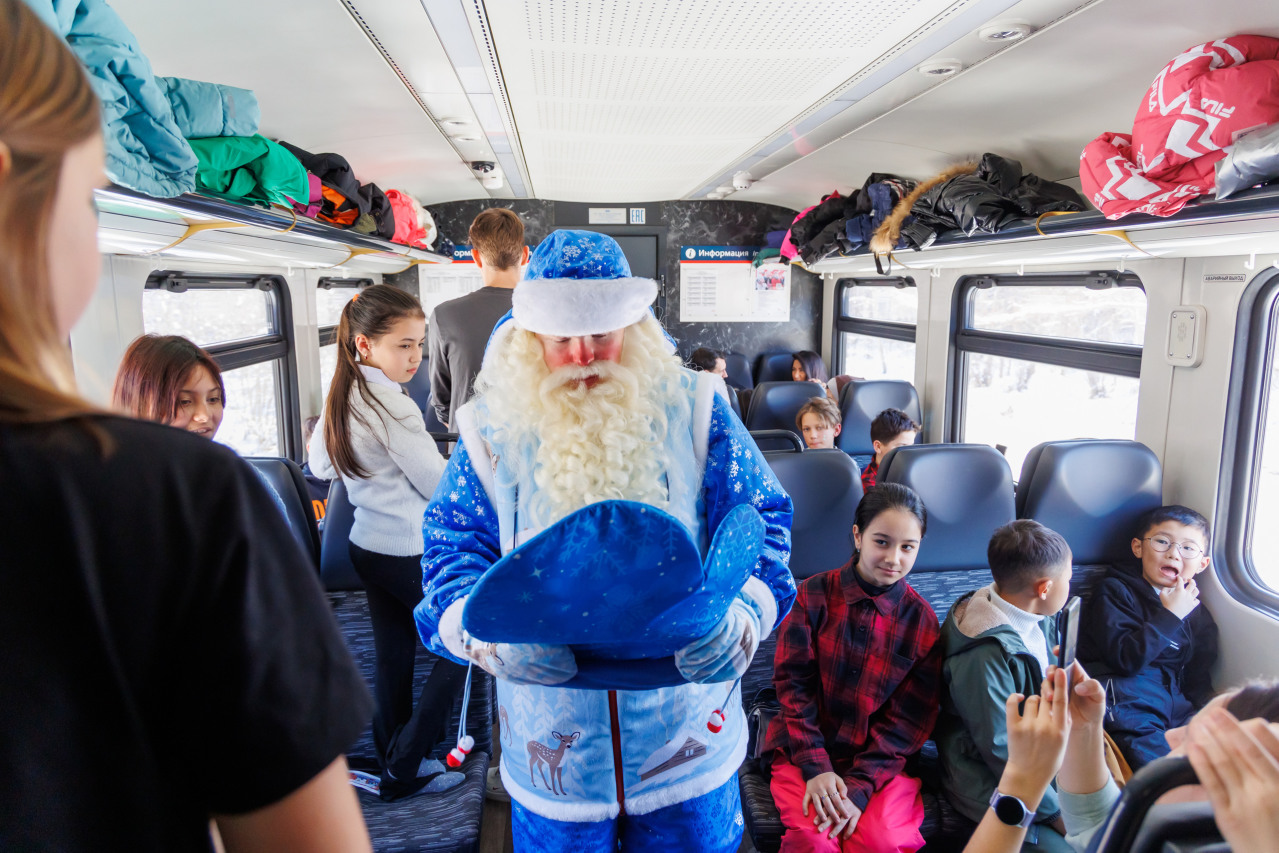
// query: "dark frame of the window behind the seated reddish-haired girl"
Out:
[277,346]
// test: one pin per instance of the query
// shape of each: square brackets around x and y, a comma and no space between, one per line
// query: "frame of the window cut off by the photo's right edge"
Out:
[1257,341]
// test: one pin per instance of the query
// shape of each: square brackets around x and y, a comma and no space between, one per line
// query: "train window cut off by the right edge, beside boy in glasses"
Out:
[1249,498]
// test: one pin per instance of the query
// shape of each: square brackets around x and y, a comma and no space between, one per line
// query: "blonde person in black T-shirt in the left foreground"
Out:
[167,655]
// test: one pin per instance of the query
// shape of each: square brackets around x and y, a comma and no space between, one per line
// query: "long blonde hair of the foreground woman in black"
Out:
[47,109]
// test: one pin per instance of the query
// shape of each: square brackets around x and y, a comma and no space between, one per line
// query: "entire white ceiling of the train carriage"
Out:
[647,100]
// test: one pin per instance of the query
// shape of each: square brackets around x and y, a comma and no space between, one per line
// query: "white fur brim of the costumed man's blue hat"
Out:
[574,308]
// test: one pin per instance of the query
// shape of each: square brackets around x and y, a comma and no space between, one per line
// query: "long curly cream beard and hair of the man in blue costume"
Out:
[588,444]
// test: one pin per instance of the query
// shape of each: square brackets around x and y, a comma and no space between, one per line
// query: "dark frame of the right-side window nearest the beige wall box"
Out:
[1117,360]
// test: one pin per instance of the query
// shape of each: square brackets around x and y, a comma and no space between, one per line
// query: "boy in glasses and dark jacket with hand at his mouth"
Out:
[1145,632]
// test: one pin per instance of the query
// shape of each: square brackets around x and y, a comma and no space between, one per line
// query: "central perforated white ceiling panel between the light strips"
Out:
[640,100]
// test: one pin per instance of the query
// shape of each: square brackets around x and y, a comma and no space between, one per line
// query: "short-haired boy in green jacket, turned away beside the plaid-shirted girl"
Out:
[998,641]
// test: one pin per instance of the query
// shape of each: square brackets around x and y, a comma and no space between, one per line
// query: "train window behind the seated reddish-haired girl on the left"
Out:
[244,322]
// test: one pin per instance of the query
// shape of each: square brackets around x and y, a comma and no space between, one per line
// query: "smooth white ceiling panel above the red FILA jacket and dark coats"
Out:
[1040,102]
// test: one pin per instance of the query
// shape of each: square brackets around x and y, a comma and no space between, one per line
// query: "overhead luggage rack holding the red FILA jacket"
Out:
[1244,224]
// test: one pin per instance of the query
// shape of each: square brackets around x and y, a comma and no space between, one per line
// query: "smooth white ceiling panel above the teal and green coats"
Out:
[320,81]
